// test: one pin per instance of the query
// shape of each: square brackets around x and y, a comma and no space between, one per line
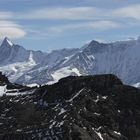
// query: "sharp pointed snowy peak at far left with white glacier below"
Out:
[16,61]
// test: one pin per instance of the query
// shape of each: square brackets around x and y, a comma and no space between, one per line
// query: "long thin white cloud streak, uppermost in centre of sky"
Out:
[63,13]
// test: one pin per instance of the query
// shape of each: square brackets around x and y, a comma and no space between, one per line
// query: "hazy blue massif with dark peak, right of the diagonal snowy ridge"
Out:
[119,58]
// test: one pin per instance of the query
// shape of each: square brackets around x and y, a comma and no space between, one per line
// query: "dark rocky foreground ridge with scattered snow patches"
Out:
[97,107]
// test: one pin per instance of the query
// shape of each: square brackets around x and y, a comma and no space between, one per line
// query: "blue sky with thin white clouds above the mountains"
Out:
[53,24]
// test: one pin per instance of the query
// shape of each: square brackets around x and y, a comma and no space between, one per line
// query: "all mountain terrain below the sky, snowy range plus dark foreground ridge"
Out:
[89,104]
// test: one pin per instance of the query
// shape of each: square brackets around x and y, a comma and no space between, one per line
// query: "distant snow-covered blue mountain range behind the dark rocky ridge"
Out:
[35,67]
